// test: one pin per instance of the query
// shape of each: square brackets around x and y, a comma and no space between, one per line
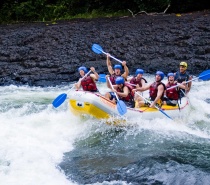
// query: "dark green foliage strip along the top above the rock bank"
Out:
[50,10]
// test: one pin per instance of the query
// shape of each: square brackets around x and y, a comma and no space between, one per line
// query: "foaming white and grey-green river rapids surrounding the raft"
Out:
[41,145]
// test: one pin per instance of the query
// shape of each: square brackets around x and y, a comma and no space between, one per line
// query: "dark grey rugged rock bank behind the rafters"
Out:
[43,54]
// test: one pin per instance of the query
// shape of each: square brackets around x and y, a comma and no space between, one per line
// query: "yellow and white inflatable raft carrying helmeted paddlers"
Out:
[93,104]
